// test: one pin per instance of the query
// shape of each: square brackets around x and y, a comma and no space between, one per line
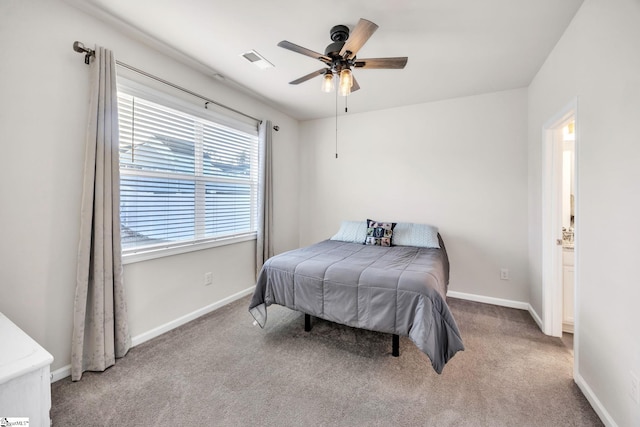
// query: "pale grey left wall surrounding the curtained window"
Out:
[43,116]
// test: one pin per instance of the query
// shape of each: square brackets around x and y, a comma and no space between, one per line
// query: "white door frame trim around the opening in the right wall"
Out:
[552,219]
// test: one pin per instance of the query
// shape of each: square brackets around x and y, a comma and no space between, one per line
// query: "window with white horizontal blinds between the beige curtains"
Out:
[184,178]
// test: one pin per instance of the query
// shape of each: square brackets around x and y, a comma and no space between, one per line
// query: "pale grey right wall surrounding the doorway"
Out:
[597,61]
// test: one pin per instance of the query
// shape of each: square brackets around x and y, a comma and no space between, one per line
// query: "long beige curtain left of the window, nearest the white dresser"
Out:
[100,330]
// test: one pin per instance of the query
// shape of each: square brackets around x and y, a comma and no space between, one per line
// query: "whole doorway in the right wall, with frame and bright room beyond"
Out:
[559,219]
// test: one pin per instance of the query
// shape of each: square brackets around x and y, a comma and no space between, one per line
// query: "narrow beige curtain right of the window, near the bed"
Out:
[264,246]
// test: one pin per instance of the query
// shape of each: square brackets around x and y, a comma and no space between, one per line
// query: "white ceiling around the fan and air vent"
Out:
[455,47]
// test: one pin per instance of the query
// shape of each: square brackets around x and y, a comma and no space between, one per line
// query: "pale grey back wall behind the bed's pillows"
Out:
[459,164]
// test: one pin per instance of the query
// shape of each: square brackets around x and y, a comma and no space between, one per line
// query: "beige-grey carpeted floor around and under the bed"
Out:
[219,370]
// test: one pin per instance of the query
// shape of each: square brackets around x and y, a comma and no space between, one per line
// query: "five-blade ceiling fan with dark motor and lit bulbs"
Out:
[340,57]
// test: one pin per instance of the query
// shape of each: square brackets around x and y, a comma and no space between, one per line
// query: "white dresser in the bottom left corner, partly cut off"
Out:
[25,383]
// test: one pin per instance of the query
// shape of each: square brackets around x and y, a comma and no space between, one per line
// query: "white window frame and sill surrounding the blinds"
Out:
[180,103]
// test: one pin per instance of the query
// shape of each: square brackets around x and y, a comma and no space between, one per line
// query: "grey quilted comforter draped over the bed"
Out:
[399,290]
